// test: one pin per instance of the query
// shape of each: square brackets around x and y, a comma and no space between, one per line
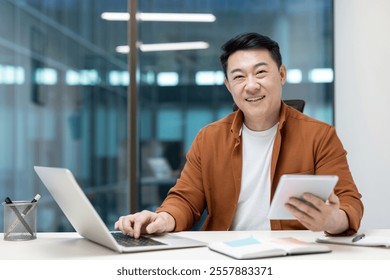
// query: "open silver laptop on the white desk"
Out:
[82,215]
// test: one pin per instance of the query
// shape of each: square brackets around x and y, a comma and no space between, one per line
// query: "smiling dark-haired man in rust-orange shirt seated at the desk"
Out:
[234,164]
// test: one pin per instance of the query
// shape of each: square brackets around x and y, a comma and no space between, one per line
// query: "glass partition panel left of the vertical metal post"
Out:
[63,103]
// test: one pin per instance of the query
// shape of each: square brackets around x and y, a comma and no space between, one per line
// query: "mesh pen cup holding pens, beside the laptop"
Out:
[20,219]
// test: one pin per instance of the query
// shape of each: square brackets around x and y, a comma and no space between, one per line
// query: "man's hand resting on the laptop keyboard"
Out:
[145,222]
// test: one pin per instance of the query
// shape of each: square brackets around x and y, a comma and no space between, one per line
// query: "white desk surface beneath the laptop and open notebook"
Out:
[71,246]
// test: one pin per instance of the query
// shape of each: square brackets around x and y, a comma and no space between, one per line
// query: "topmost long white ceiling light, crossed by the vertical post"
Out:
[171,17]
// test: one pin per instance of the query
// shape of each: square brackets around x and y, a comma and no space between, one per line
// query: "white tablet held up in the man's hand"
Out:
[296,186]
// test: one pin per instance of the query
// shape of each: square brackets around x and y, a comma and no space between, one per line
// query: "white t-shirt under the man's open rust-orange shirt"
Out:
[254,199]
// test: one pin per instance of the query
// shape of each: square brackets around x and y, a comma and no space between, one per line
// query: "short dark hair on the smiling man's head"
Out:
[248,41]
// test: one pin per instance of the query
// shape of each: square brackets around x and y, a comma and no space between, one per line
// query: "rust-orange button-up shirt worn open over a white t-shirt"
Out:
[211,177]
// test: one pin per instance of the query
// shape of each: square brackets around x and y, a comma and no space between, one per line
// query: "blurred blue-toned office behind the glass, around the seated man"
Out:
[64,87]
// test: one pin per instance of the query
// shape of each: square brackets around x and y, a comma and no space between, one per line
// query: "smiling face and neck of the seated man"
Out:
[255,83]
